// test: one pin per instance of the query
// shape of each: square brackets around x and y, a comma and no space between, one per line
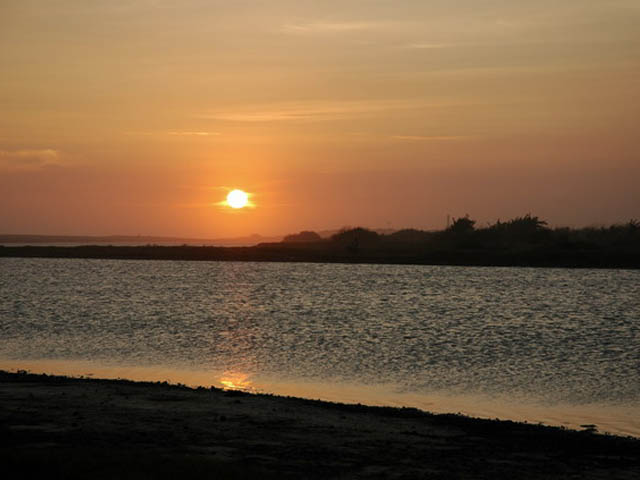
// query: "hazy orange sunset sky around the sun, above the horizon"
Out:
[137,117]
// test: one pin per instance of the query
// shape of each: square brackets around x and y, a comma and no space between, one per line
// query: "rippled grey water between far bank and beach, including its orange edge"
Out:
[553,345]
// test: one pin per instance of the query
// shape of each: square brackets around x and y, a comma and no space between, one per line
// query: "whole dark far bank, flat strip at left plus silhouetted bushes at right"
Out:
[522,241]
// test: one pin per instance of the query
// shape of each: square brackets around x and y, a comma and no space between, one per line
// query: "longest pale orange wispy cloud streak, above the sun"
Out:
[315,110]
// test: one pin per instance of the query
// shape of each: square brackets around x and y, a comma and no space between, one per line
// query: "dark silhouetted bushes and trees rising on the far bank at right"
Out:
[524,240]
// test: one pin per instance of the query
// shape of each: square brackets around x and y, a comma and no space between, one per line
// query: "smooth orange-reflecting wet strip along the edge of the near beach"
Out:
[623,420]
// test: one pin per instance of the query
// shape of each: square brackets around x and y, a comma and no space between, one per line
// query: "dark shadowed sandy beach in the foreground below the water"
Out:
[59,427]
